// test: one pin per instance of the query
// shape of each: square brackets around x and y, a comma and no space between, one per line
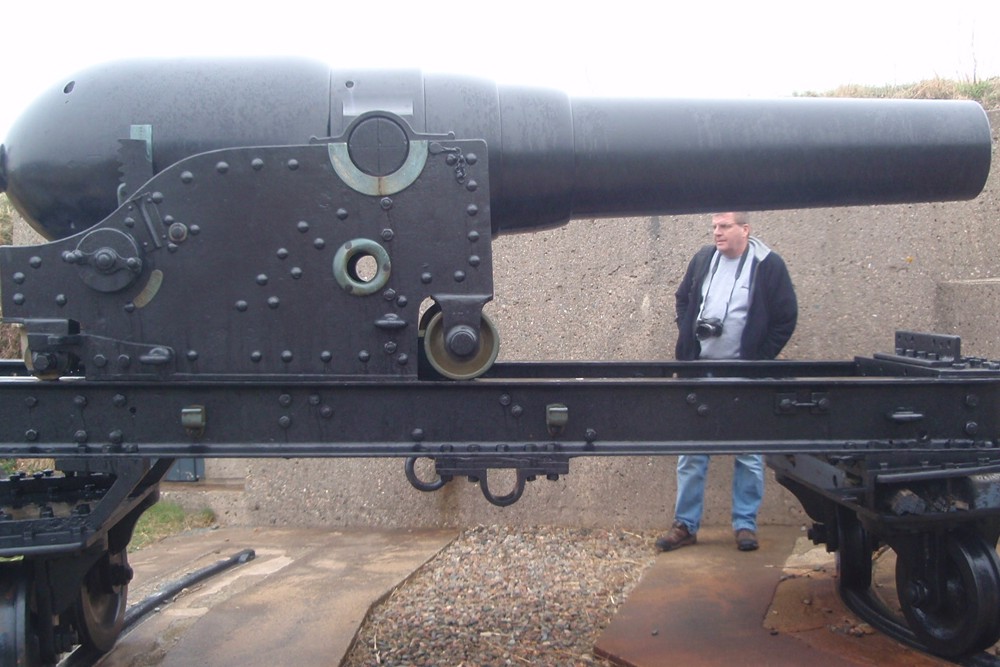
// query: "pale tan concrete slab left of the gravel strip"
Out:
[299,602]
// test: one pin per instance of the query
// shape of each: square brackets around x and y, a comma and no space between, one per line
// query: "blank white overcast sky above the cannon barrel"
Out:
[617,48]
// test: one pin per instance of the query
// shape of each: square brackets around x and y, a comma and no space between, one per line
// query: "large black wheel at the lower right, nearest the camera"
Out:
[952,602]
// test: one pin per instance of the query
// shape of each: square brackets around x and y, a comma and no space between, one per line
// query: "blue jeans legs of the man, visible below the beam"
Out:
[748,490]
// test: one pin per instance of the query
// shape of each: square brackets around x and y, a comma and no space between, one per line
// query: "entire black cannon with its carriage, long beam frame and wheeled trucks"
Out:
[257,258]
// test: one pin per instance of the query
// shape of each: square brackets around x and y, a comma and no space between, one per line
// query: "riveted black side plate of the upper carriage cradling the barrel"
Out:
[278,286]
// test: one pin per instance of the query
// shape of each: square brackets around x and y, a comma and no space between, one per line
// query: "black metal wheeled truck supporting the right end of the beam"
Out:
[947,573]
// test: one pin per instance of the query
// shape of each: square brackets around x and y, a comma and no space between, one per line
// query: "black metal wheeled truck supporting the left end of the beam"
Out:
[71,528]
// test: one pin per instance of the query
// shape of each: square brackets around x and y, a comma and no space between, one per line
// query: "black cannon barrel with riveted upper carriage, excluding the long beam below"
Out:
[399,182]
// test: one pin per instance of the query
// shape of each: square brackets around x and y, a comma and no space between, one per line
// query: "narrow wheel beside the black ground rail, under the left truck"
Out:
[100,609]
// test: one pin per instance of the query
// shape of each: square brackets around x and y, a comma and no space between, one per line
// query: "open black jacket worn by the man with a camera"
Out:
[771,316]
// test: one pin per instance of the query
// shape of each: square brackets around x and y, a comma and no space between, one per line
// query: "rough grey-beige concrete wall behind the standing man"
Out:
[604,290]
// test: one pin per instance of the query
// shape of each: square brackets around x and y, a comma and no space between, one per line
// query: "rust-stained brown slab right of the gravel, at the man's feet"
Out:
[712,605]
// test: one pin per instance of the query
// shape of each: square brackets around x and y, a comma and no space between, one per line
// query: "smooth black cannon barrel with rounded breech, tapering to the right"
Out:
[551,157]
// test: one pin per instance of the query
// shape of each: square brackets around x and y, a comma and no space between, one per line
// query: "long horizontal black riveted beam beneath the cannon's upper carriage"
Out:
[597,417]
